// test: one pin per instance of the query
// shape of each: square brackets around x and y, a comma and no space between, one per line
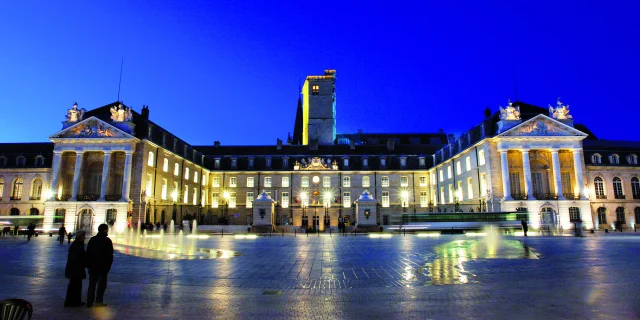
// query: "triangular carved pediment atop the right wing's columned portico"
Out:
[542,126]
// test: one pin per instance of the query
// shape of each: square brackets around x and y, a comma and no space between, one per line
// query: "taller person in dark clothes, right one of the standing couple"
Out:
[99,260]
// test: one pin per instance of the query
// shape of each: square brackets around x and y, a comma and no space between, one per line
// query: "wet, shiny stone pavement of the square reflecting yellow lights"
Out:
[403,277]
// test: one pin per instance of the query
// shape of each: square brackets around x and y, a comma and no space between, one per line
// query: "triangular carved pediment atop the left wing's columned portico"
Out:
[91,128]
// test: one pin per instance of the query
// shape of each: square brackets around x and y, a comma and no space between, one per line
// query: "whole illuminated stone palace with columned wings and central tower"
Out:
[114,165]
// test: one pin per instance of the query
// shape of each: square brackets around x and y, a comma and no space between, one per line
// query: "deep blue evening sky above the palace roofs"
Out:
[230,70]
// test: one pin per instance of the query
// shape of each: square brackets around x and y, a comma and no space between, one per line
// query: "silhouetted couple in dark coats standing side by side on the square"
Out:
[98,259]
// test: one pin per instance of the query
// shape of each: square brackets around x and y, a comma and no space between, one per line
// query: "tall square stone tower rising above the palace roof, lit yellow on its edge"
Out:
[319,108]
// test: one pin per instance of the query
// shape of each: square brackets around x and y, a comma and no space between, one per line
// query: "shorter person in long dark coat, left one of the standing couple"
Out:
[75,271]
